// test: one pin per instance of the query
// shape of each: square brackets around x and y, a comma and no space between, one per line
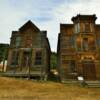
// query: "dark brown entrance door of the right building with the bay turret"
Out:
[89,70]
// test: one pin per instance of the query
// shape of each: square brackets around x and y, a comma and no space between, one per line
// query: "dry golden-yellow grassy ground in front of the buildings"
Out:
[21,89]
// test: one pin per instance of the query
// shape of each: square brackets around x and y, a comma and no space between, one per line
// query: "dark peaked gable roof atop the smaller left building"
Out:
[27,25]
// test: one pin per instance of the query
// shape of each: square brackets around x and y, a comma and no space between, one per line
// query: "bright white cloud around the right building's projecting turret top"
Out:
[66,11]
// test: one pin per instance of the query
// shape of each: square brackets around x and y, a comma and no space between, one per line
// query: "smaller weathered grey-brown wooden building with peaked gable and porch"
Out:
[29,52]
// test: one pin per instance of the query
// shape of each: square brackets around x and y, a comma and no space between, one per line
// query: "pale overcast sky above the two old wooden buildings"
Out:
[45,14]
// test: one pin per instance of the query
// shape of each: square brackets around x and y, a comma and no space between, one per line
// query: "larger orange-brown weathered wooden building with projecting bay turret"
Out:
[79,49]
